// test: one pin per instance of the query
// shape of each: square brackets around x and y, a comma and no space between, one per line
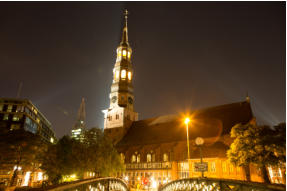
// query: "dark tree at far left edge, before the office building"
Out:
[21,149]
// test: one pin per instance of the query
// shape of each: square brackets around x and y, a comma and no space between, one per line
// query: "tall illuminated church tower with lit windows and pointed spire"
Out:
[121,114]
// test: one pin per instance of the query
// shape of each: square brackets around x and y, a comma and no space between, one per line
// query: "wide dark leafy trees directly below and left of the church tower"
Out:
[93,154]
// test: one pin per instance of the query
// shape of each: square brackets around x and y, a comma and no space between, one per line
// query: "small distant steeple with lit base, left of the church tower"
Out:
[80,125]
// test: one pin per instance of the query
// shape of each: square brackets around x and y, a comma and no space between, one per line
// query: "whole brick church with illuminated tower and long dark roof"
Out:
[156,148]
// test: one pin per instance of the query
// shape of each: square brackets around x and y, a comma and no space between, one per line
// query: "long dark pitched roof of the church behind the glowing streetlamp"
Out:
[209,122]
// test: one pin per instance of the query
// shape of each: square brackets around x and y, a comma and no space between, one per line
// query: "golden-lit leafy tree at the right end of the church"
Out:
[258,145]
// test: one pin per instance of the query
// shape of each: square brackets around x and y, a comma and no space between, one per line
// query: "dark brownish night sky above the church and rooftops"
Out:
[187,55]
